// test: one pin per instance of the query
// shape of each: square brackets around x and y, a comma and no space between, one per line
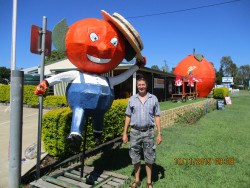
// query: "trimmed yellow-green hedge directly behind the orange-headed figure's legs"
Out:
[57,123]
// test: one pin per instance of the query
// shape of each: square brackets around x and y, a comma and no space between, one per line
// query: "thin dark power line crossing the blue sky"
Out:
[183,10]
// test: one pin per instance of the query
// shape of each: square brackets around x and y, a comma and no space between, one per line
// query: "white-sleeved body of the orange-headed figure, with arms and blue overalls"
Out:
[89,95]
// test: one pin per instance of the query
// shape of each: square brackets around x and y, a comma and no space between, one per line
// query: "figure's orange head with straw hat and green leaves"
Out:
[98,46]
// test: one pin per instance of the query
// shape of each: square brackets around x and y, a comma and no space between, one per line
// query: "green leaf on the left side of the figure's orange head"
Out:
[59,34]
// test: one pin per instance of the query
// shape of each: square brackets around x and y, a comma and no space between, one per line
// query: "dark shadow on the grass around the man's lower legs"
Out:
[116,159]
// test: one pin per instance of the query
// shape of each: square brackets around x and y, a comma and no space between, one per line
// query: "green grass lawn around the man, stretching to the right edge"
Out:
[213,152]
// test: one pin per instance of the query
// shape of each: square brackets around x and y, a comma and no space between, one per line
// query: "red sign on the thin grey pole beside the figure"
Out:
[36,41]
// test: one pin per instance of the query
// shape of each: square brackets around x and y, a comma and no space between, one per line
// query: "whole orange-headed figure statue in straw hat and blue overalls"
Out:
[94,46]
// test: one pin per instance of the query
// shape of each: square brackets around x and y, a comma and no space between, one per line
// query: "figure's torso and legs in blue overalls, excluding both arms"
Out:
[89,95]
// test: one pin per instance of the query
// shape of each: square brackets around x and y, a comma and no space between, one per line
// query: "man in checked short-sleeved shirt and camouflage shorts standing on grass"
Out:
[142,114]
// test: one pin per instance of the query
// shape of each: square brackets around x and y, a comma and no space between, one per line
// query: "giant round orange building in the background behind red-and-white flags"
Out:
[201,70]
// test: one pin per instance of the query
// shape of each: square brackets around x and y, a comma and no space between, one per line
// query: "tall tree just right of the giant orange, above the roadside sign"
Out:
[228,67]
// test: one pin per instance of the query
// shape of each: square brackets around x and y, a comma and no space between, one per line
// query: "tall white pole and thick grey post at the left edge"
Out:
[16,112]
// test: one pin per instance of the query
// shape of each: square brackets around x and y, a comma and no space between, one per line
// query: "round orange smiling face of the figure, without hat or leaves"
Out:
[94,46]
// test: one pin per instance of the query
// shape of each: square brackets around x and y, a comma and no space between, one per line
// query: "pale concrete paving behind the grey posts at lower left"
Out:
[30,129]
